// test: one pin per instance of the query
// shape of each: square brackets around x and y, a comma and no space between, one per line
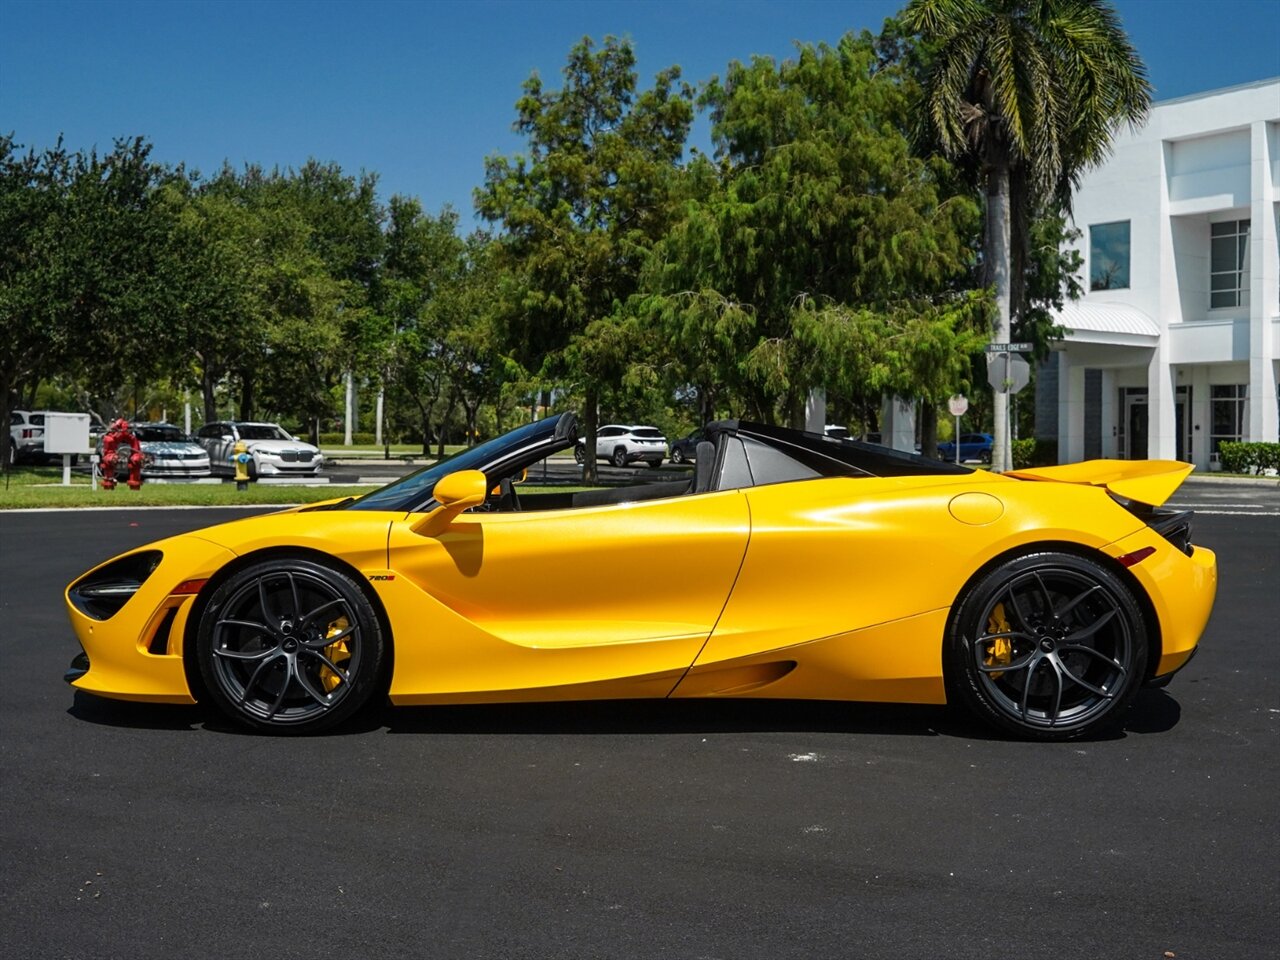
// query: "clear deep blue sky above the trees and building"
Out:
[420,93]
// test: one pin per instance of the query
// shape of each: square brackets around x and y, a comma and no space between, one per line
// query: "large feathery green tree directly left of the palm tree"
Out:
[819,240]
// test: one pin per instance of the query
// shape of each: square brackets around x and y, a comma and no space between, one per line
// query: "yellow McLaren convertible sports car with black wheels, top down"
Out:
[787,565]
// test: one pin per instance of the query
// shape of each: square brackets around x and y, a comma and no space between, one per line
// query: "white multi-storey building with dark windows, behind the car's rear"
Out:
[1174,348]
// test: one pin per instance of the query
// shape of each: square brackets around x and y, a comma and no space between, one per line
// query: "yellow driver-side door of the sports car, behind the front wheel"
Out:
[607,601]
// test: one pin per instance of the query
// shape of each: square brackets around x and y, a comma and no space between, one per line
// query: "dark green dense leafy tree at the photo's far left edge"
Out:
[83,239]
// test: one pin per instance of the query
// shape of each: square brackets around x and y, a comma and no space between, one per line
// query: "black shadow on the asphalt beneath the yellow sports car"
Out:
[1154,712]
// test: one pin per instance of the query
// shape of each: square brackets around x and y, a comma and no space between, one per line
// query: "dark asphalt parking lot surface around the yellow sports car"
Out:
[648,830]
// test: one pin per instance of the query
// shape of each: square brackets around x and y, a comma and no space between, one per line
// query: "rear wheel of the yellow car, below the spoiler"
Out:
[1048,647]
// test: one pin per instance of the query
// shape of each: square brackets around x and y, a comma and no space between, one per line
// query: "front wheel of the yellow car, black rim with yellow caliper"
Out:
[290,647]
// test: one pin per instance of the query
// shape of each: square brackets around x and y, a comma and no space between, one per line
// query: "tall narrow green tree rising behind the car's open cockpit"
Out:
[583,208]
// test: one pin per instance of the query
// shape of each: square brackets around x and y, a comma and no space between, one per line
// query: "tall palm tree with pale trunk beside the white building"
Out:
[1034,92]
